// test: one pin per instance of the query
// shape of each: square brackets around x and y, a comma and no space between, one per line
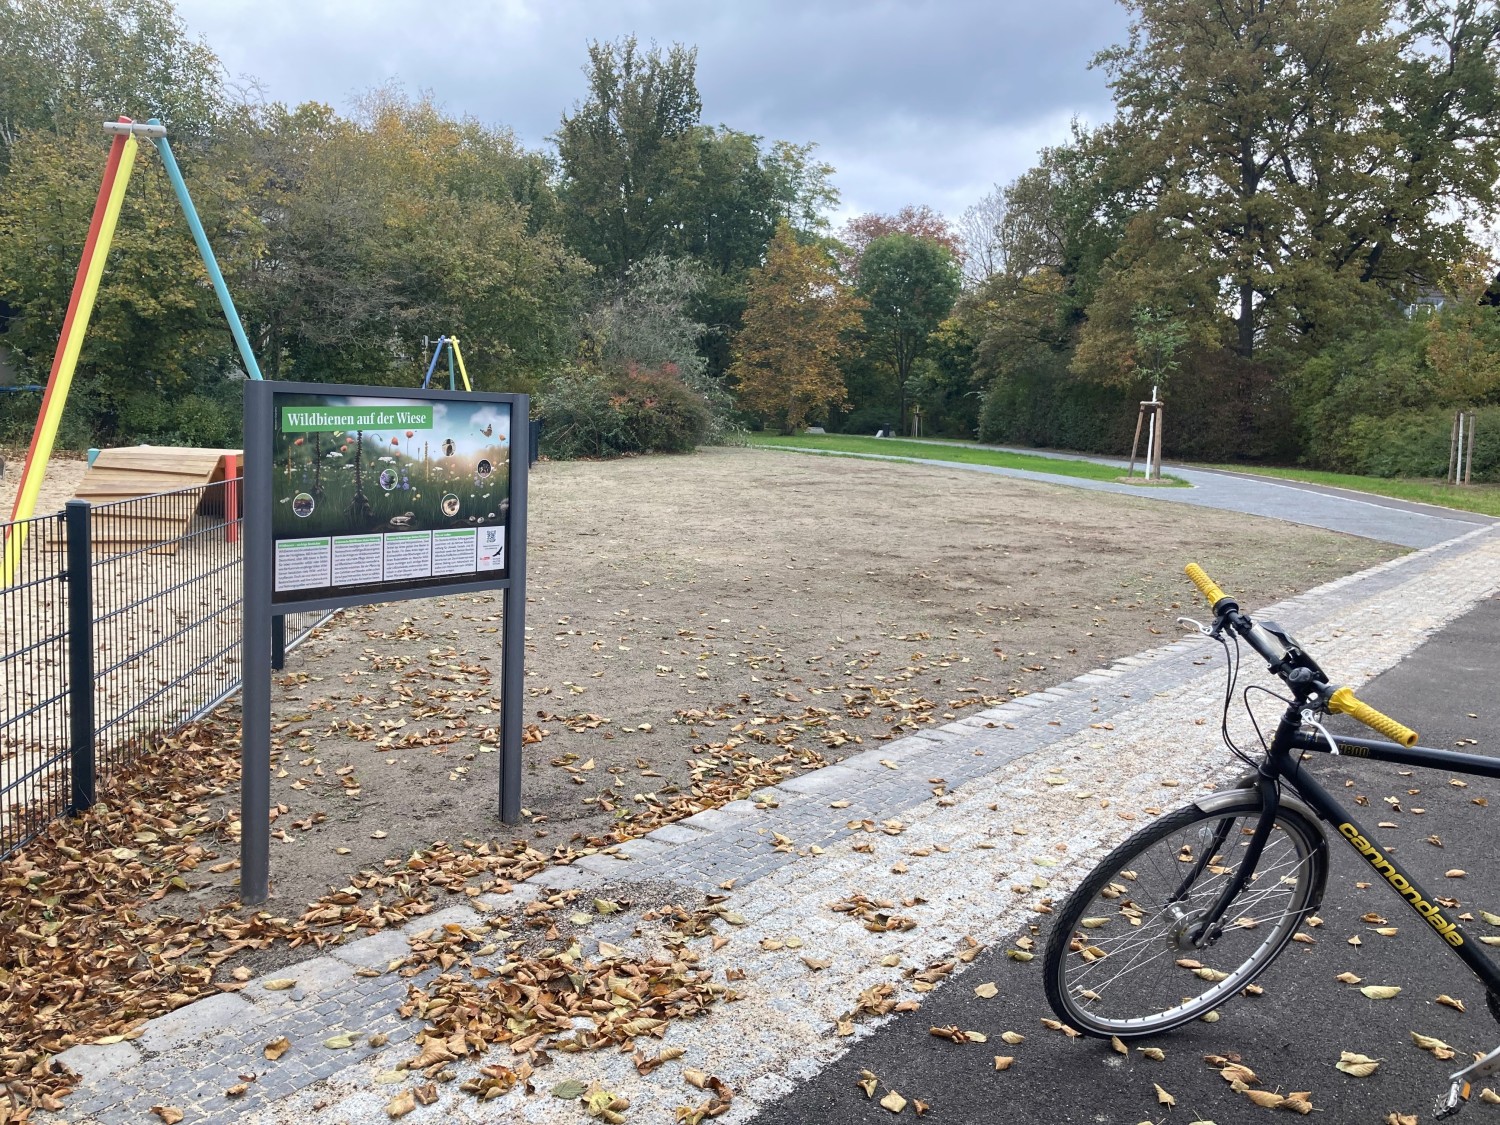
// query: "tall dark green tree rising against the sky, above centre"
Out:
[629,154]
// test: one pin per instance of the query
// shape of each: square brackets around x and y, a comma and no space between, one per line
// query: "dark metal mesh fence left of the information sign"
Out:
[142,634]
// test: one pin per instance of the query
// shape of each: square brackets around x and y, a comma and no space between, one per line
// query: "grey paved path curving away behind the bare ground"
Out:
[1357,514]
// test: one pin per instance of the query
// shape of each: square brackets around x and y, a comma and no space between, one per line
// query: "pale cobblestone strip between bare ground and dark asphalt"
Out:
[1067,772]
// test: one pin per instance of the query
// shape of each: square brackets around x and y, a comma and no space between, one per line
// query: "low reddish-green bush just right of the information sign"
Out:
[595,415]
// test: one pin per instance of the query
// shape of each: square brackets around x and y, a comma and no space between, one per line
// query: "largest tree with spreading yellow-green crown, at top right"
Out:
[1295,152]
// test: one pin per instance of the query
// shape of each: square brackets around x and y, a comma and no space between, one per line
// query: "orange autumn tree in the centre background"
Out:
[796,319]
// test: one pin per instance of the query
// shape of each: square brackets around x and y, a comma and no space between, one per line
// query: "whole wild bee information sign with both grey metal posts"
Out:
[356,496]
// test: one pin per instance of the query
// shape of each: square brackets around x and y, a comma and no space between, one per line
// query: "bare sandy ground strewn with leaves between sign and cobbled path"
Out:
[724,619]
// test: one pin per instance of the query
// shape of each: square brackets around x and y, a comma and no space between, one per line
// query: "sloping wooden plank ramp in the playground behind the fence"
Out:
[121,475]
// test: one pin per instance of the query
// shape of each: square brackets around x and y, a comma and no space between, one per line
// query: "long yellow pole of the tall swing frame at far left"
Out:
[67,362]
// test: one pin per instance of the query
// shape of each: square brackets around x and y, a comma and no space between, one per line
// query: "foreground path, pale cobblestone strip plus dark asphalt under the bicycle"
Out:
[967,830]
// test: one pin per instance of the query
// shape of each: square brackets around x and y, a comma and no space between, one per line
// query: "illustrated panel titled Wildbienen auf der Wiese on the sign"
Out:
[373,491]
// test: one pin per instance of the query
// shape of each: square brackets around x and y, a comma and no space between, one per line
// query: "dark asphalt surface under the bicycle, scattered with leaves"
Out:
[1292,1036]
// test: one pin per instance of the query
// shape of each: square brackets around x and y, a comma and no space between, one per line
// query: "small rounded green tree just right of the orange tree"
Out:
[908,286]
